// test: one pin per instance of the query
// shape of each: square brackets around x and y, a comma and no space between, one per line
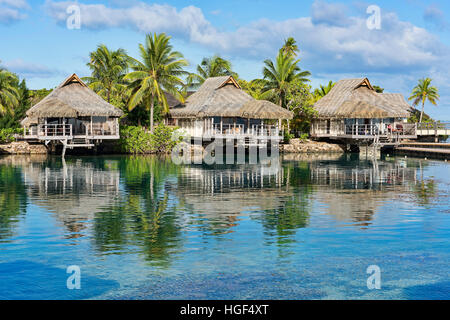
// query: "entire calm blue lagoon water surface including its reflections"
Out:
[301,227]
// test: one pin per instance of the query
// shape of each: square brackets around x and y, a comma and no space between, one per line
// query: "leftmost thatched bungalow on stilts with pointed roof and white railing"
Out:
[72,115]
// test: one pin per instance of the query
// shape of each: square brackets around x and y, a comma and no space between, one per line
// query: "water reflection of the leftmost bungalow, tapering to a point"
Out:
[75,193]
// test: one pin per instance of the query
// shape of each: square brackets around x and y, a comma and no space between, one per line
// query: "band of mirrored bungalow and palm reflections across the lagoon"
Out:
[152,206]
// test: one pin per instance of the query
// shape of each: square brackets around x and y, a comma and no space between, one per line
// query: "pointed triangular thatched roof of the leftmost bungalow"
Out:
[71,99]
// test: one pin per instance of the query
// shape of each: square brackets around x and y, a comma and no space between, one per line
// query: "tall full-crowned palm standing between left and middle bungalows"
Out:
[159,72]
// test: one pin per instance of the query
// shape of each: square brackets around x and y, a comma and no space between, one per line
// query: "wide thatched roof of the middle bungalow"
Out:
[223,97]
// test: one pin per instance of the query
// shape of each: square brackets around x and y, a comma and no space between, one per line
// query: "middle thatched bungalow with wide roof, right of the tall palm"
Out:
[220,109]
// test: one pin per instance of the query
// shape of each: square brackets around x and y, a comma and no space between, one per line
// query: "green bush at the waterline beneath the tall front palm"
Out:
[137,140]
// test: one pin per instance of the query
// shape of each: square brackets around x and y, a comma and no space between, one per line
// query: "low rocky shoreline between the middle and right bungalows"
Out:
[309,146]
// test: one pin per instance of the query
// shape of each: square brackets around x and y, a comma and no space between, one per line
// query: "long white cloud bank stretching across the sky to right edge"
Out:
[328,39]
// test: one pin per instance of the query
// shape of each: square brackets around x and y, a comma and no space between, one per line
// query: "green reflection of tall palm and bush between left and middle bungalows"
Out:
[141,216]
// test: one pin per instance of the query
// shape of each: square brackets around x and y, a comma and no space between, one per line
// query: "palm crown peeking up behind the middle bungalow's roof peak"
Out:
[210,67]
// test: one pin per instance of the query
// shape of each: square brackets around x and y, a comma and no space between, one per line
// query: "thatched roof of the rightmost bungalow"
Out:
[356,98]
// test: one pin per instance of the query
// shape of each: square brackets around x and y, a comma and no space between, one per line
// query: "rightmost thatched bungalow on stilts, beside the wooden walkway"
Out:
[353,111]
